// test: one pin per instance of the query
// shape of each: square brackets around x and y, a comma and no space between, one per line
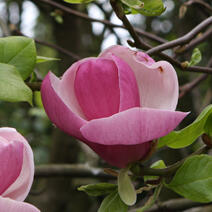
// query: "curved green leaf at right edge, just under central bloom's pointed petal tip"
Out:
[186,136]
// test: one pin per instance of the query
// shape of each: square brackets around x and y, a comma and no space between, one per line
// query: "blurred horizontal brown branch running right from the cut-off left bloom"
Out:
[70,170]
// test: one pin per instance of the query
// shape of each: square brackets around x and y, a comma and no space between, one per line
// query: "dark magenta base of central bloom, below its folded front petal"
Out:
[120,155]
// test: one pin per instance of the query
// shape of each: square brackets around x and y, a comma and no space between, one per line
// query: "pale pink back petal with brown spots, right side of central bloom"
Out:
[157,82]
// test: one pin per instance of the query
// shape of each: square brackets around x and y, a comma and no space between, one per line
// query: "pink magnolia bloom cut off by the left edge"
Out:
[16,172]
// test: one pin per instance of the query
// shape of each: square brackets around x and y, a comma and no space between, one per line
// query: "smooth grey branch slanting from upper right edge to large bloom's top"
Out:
[182,40]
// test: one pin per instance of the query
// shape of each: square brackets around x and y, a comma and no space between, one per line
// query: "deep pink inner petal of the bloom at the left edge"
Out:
[11,160]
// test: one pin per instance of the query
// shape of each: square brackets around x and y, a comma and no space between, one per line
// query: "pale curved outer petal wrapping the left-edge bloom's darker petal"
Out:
[20,188]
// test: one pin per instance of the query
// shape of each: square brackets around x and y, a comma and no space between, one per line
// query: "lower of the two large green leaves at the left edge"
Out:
[12,86]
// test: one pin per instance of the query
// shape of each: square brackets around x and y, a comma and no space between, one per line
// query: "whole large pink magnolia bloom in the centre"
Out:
[116,103]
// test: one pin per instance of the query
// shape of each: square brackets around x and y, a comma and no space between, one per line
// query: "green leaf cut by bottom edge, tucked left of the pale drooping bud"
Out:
[113,203]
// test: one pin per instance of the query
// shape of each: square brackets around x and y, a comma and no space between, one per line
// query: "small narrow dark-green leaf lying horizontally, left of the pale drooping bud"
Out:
[98,189]
